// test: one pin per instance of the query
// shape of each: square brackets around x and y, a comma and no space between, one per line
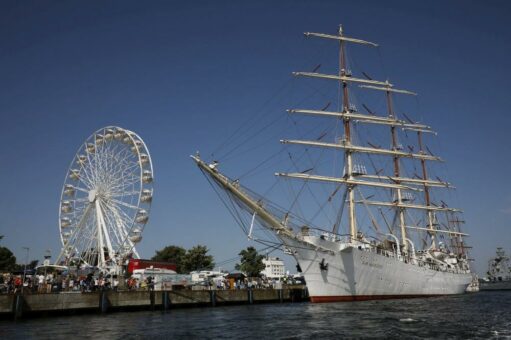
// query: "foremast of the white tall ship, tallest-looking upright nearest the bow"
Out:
[347,137]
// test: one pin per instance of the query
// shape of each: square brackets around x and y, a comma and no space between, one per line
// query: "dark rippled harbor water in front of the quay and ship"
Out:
[483,315]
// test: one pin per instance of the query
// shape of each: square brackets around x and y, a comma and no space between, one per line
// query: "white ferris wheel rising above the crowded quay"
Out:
[105,200]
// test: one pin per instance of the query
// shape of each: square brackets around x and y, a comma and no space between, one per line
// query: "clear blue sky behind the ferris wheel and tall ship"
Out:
[183,75]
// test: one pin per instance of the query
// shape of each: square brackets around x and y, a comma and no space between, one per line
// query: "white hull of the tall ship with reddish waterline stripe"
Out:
[355,274]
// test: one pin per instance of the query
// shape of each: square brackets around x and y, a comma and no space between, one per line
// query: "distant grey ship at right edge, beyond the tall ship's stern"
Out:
[499,272]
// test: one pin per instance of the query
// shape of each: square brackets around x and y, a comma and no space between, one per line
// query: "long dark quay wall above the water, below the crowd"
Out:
[26,305]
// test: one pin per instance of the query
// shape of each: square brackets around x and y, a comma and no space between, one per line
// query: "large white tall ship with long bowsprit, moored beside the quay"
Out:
[388,231]
